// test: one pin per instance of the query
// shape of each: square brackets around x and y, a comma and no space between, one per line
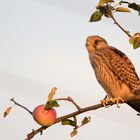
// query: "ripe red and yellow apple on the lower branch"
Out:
[44,117]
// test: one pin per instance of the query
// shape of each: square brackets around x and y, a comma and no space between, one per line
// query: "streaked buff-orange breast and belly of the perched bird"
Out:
[113,86]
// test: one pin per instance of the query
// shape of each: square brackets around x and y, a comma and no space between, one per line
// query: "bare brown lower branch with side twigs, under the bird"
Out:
[71,115]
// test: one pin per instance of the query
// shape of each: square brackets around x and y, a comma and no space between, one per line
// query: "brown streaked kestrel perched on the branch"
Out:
[114,71]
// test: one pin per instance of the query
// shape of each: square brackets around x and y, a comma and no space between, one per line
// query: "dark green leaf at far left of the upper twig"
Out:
[96,16]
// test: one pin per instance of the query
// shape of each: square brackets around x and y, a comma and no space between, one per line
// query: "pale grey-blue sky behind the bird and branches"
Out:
[42,45]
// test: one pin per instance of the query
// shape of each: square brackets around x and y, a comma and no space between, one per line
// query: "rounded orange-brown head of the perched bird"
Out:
[95,42]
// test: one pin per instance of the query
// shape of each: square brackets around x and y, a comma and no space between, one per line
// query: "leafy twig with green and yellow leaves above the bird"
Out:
[106,8]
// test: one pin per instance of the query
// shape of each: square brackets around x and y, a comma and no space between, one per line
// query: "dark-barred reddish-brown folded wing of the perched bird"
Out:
[123,68]
